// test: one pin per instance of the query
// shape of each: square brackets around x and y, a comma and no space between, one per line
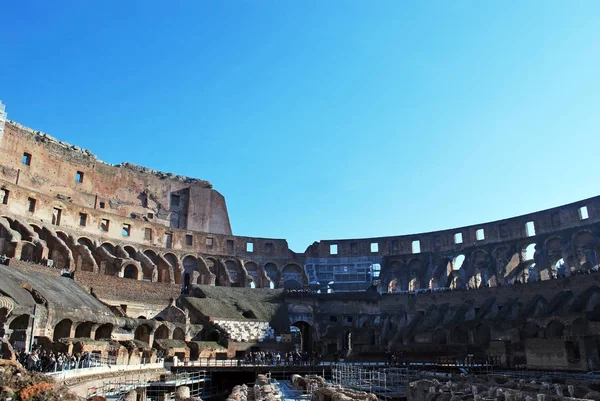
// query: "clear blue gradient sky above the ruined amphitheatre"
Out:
[324,119]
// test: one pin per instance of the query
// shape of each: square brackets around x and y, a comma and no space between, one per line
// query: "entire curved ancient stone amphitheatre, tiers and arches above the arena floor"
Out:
[140,245]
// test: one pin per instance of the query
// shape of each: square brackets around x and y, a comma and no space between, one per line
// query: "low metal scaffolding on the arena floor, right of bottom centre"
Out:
[385,383]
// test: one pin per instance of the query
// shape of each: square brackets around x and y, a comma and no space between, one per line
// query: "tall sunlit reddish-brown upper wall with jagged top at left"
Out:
[41,163]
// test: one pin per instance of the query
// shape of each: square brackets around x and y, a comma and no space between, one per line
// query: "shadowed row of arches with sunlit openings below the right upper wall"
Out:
[503,265]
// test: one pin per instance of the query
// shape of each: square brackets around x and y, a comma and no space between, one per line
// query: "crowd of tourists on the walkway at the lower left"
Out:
[41,360]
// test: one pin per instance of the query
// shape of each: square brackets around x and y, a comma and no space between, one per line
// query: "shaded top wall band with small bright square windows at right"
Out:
[522,227]
